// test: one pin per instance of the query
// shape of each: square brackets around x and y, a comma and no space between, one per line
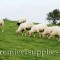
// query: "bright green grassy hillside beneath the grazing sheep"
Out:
[10,41]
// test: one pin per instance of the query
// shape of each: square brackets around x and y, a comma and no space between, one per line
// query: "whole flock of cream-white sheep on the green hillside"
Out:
[42,29]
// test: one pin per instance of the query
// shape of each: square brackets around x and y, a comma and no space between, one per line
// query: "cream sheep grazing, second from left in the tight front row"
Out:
[37,28]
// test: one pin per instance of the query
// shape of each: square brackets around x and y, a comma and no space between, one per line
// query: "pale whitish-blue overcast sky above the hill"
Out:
[32,10]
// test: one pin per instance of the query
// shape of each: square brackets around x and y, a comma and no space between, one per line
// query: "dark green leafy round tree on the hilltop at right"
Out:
[53,16]
